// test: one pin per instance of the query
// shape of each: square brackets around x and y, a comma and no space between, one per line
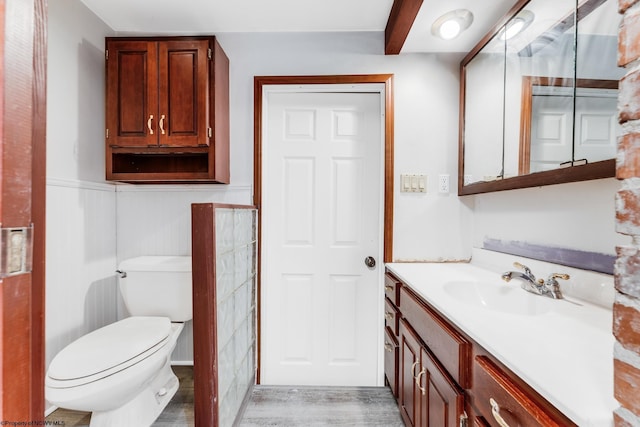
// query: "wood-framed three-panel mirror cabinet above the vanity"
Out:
[539,97]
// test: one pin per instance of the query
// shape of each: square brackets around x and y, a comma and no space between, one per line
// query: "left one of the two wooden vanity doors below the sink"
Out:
[409,394]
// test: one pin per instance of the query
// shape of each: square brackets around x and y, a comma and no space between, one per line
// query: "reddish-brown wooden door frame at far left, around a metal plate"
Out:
[23,196]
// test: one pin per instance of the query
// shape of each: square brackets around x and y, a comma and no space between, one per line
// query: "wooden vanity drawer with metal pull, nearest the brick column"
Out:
[496,396]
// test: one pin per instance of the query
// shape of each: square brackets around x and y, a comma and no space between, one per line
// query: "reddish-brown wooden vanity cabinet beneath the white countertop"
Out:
[447,379]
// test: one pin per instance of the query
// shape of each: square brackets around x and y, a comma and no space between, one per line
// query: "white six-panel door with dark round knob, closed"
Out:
[321,217]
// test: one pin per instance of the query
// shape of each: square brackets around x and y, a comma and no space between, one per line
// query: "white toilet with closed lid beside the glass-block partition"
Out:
[122,372]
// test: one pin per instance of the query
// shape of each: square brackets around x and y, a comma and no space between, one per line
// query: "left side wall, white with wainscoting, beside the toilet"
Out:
[81,232]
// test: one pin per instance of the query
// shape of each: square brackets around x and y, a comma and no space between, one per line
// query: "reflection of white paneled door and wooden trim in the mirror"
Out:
[547,115]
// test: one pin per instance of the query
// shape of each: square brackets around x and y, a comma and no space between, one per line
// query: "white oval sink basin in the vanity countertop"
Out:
[498,297]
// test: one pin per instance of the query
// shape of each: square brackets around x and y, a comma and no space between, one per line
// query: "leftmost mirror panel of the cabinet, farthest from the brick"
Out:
[484,113]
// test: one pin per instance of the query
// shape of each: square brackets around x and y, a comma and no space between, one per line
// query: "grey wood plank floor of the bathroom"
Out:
[272,406]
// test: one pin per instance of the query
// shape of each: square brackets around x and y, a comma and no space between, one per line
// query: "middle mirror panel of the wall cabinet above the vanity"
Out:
[545,49]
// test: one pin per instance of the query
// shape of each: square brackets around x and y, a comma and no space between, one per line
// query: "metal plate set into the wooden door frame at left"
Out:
[17,250]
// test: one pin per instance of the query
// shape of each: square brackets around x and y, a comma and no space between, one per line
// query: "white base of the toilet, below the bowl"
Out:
[145,407]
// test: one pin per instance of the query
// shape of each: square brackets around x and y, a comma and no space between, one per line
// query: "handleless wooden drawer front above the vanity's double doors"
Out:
[446,343]
